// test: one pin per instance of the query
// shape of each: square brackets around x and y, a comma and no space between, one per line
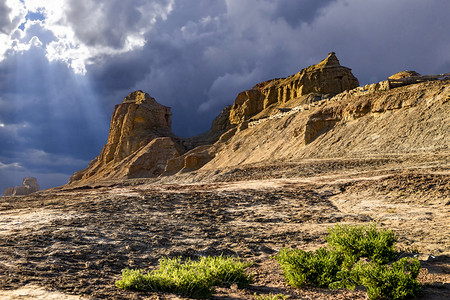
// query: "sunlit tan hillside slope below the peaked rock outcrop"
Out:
[405,120]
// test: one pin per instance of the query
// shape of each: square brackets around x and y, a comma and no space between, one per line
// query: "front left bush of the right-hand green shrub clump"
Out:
[309,267]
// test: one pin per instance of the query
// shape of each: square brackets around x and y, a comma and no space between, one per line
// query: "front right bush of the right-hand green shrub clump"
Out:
[395,281]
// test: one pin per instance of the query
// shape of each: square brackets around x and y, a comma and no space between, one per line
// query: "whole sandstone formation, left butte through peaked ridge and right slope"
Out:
[320,112]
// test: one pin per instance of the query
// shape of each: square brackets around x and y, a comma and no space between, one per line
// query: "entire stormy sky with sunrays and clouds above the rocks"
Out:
[64,64]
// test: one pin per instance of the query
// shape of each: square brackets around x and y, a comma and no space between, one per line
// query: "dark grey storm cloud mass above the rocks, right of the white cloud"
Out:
[204,53]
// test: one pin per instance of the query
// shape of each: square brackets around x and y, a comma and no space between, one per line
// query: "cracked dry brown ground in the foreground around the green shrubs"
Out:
[73,244]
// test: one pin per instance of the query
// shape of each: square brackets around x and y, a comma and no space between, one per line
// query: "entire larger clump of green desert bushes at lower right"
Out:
[357,255]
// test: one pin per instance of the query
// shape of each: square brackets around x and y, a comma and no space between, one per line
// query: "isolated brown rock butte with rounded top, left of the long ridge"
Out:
[139,144]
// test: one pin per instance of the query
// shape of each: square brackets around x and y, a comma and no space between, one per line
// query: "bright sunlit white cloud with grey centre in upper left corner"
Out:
[84,30]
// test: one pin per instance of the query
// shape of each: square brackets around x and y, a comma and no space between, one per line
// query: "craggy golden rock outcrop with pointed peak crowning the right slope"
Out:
[326,78]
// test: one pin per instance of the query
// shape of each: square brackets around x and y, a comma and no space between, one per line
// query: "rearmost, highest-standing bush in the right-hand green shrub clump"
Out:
[363,241]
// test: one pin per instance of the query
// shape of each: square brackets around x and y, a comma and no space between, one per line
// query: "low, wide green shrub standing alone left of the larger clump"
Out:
[192,278]
